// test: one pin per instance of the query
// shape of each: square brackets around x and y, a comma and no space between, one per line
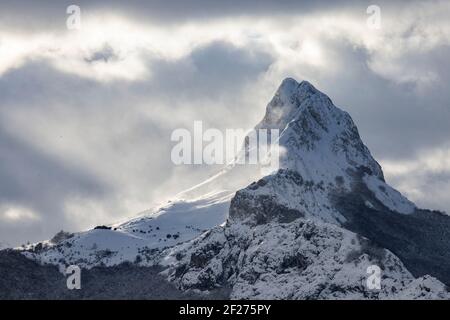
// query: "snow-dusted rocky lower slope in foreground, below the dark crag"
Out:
[303,259]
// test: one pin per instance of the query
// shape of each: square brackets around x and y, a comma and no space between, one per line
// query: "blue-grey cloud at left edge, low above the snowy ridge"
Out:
[32,178]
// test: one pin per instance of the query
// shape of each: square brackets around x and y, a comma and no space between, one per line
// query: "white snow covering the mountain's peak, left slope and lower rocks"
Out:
[322,146]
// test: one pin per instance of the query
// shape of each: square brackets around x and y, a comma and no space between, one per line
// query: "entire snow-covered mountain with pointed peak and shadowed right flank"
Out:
[307,230]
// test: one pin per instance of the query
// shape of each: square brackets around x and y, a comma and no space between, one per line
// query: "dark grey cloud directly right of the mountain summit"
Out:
[397,120]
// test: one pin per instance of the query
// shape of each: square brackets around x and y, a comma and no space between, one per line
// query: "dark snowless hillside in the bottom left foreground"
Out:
[23,278]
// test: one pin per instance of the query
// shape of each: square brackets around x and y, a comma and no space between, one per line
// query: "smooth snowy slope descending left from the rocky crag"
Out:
[138,239]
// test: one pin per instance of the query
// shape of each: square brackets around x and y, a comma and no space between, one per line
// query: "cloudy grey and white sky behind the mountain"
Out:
[86,114]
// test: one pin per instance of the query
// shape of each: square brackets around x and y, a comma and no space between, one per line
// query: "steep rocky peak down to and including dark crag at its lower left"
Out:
[322,154]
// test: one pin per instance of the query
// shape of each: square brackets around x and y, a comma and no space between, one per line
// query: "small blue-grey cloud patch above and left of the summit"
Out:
[218,68]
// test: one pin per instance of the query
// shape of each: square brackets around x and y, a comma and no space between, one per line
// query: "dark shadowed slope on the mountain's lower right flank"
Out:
[420,239]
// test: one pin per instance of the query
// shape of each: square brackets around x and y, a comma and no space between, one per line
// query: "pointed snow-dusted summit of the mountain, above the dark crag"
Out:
[316,137]
